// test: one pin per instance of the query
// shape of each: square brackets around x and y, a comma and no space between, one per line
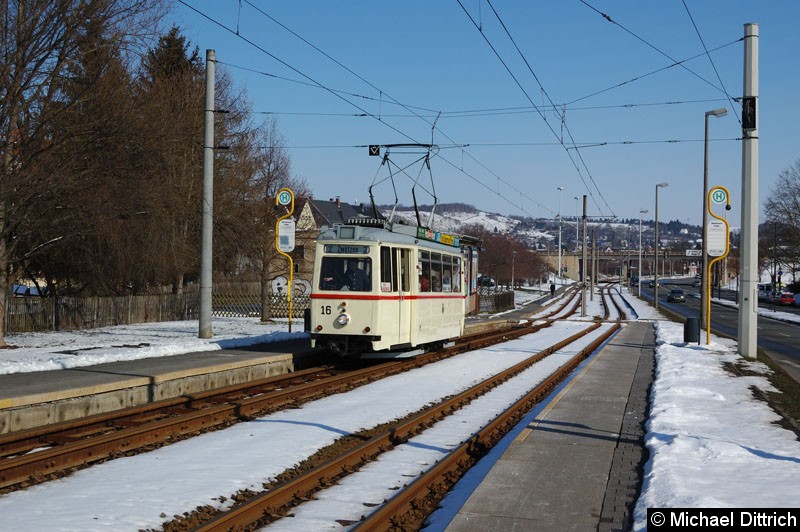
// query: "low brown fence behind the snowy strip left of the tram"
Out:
[36,314]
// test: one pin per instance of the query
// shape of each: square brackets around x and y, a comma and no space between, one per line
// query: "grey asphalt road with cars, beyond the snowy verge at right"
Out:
[780,340]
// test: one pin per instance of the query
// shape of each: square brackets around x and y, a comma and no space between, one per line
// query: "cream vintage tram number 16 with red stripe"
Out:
[386,289]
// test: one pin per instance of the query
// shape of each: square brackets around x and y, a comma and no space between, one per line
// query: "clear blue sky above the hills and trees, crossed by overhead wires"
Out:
[501,150]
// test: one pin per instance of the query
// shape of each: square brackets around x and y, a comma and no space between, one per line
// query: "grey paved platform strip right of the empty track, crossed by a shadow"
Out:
[576,466]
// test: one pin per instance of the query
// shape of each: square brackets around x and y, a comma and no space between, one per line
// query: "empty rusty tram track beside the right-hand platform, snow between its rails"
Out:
[409,507]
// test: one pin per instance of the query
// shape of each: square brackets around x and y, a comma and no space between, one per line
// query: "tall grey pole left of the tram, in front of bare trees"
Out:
[207,220]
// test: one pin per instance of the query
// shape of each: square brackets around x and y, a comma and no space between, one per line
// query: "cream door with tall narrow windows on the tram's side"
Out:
[395,278]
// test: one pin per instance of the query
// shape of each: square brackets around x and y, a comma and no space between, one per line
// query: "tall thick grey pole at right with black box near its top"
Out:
[748,298]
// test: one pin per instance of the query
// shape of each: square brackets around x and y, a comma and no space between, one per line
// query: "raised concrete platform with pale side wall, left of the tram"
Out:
[34,399]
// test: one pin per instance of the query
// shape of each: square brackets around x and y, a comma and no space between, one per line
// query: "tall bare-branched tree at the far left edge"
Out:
[39,41]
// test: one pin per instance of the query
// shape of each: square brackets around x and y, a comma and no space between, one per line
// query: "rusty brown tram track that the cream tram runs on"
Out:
[37,455]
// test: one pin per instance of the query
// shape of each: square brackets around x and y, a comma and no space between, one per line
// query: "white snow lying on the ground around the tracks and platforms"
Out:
[711,443]
